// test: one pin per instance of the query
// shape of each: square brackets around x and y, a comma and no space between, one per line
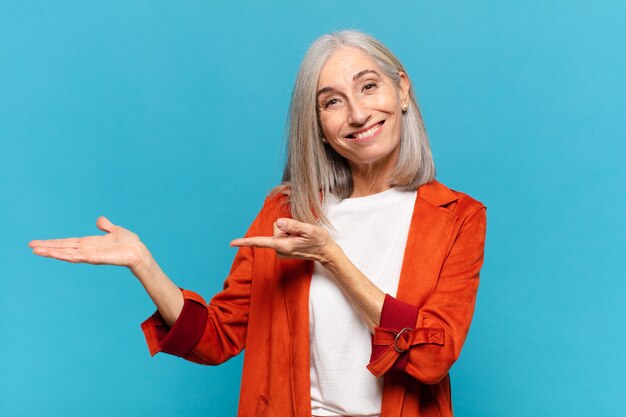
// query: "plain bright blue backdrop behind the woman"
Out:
[168,117]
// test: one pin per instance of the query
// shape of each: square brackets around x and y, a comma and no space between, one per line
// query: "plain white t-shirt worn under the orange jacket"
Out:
[372,231]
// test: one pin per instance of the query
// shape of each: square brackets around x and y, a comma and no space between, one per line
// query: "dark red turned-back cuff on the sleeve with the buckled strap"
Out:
[395,315]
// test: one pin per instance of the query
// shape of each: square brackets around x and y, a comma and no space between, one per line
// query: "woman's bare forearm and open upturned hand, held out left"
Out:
[121,247]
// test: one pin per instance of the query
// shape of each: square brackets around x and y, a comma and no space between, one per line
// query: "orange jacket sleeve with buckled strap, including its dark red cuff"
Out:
[424,341]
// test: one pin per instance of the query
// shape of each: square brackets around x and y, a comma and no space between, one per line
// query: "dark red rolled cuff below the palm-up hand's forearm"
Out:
[183,335]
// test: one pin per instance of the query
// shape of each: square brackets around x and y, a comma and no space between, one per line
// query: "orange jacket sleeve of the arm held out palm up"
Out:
[209,333]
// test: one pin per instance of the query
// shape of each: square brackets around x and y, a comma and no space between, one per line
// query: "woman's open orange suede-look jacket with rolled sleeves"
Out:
[264,309]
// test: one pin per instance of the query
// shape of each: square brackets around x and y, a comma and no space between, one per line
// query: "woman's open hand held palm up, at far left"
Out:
[118,246]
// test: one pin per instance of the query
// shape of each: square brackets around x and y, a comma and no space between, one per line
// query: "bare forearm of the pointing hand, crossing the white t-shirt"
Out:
[366,296]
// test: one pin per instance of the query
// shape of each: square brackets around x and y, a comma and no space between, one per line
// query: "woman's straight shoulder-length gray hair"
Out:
[313,169]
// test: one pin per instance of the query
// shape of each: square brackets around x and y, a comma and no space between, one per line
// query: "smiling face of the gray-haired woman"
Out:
[360,108]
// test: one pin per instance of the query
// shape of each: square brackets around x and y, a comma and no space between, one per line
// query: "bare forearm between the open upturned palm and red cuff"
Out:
[164,293]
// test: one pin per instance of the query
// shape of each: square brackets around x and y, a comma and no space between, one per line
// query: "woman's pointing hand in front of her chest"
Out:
[294,239]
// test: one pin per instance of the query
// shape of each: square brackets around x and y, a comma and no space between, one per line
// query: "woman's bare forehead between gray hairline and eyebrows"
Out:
[343,64]
